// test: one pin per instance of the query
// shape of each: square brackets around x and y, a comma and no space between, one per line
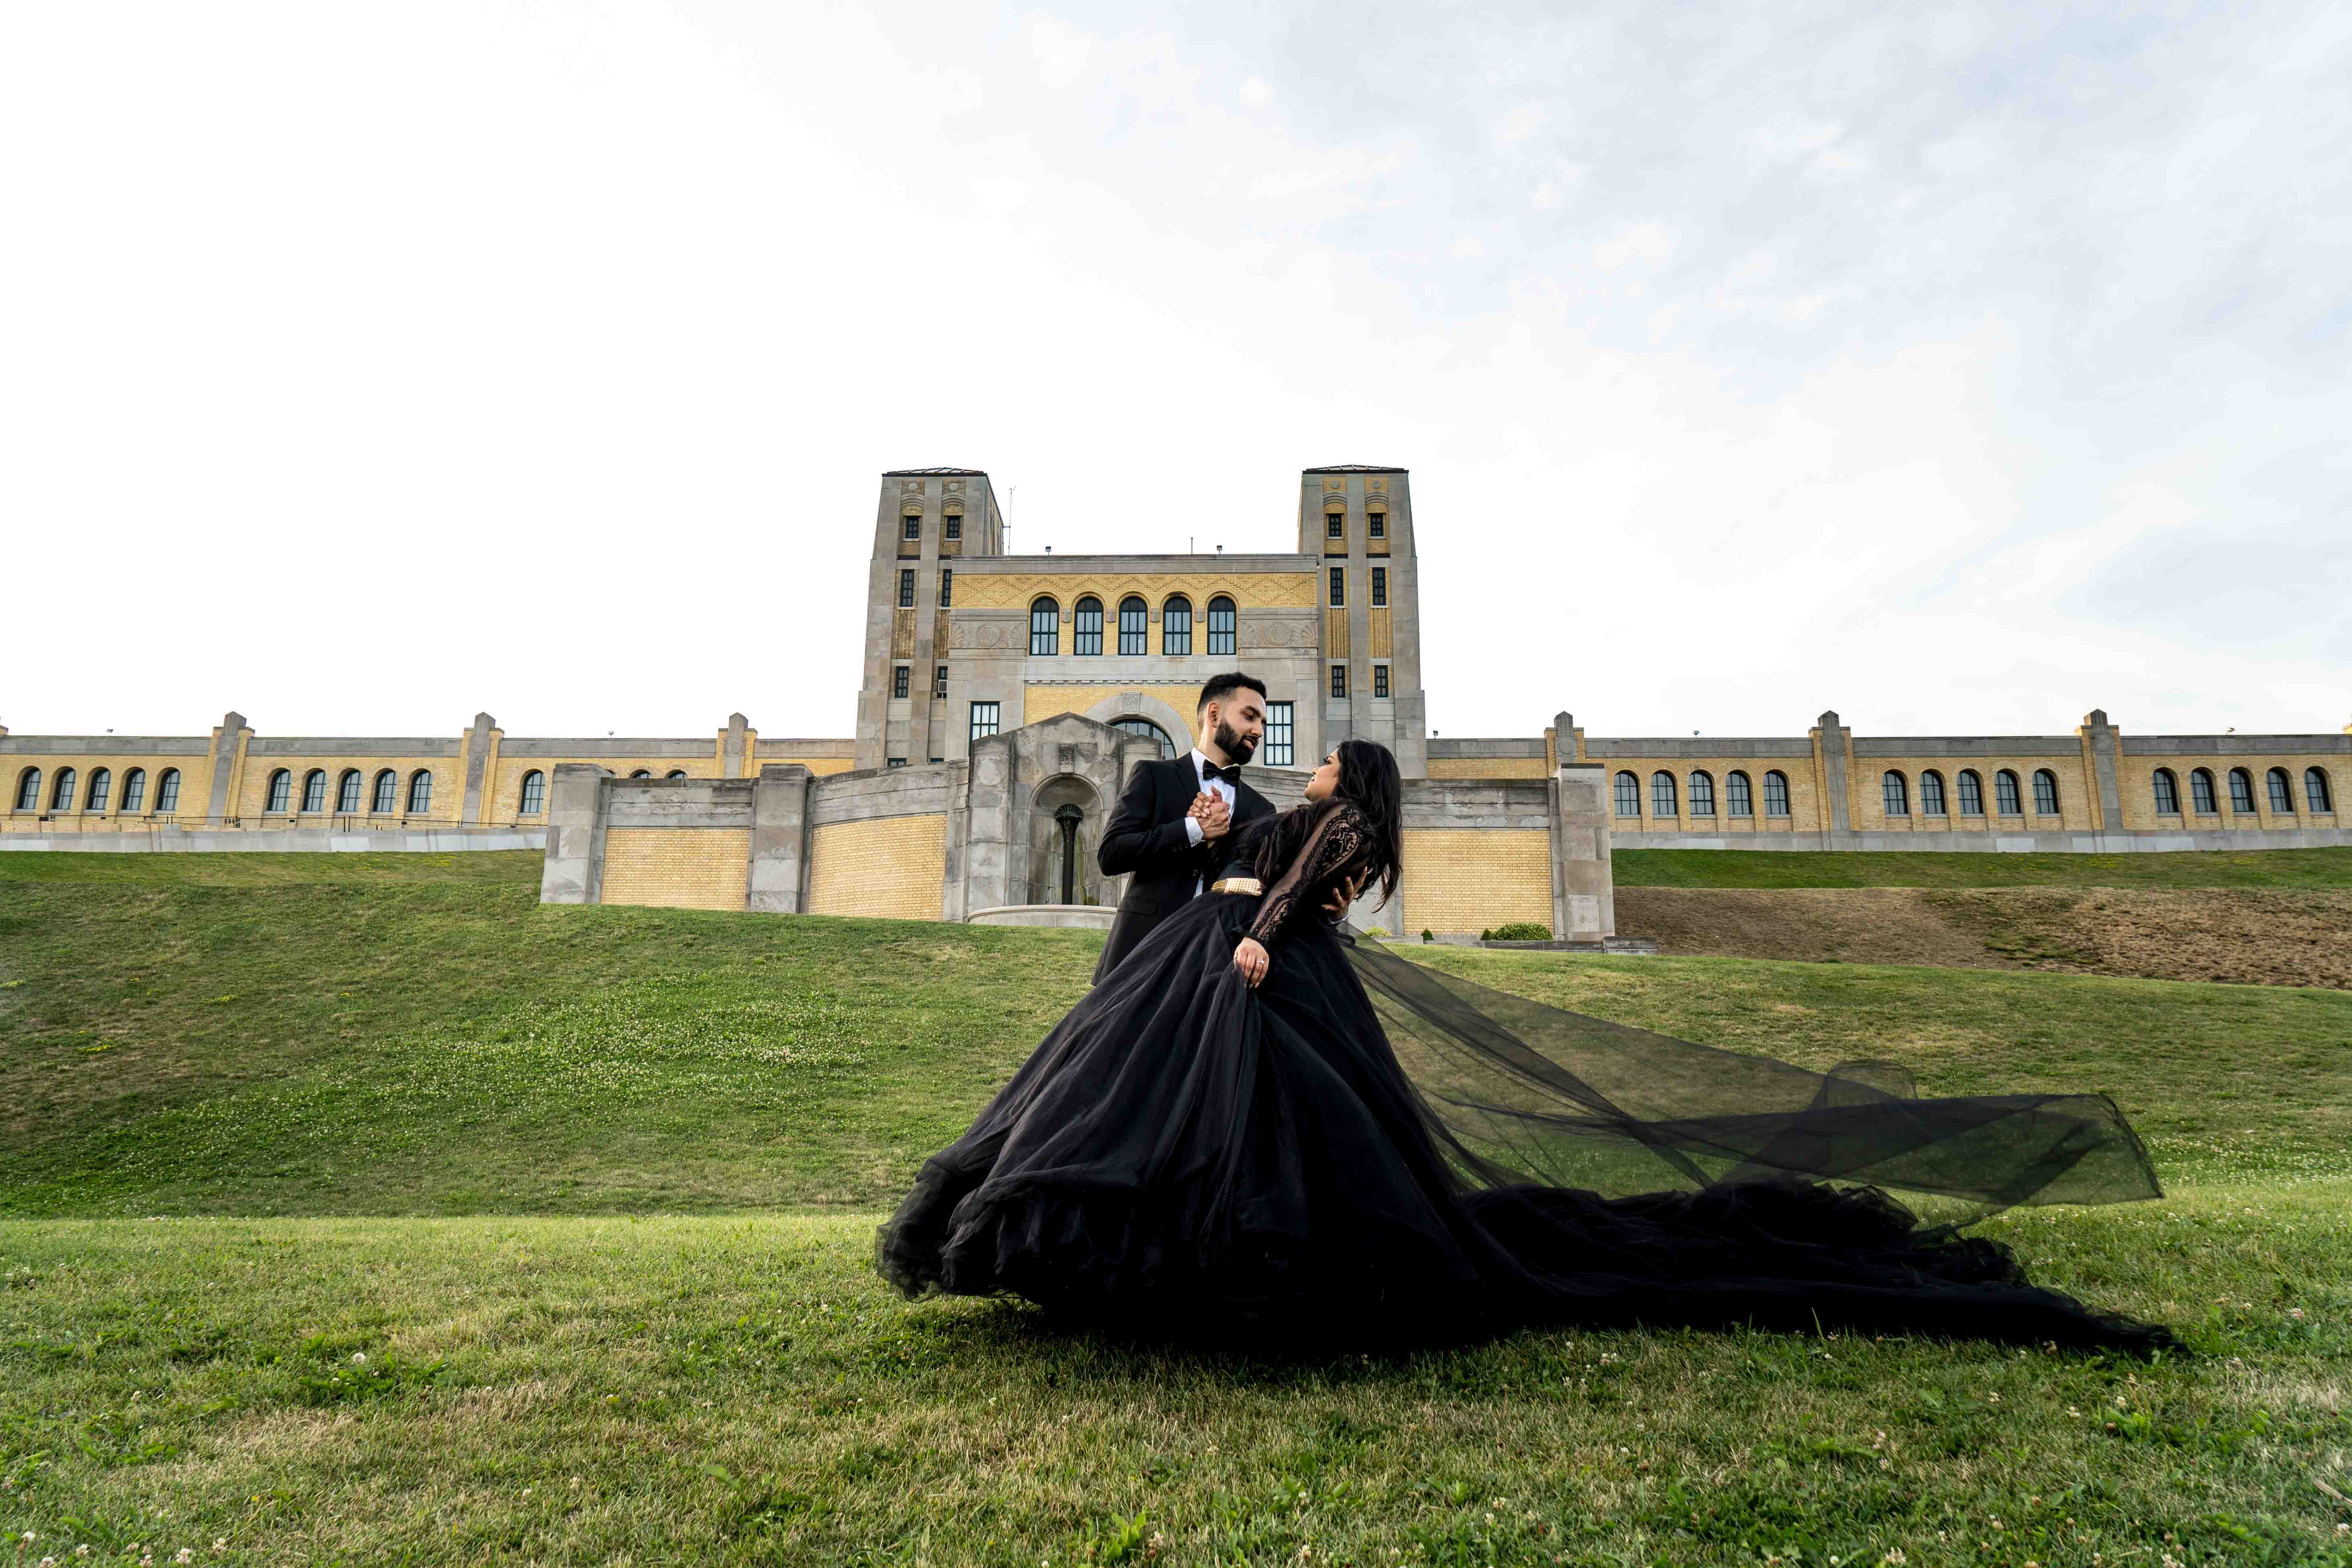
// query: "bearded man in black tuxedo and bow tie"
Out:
[1177,819]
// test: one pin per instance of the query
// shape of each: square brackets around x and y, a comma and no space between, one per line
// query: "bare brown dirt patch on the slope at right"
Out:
[2250,937]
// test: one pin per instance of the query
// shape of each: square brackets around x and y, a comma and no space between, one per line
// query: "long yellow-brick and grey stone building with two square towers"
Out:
[1005,695]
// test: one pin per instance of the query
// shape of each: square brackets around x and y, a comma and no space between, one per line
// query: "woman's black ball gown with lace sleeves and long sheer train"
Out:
[1368,1151]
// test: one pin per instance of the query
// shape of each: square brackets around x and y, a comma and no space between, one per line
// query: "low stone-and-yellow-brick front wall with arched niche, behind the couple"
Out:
[1013,836]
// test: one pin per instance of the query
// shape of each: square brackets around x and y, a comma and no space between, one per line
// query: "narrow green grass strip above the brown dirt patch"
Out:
[1760,869]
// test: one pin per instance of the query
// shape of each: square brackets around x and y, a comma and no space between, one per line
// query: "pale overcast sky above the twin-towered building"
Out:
[1953,368]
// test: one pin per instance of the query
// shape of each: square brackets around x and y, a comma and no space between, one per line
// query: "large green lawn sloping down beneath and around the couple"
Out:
[495,1233]
